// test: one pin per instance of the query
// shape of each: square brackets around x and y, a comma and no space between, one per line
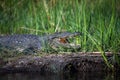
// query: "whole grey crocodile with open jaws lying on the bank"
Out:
[31,42]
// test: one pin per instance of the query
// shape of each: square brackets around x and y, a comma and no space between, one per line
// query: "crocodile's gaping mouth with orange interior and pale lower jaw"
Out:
[65,43]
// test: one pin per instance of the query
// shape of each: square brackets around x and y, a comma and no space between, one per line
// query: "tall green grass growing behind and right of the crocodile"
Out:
[97,20]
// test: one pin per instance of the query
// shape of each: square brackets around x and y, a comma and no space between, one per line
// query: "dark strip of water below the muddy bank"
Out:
[80,76]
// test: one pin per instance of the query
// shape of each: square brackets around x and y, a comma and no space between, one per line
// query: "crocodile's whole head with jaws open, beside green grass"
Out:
[64,40]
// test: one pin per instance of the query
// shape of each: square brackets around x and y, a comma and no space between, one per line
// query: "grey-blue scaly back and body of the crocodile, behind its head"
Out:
[21,42]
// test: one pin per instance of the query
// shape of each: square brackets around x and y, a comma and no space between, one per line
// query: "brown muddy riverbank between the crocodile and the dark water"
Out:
[60,63]
